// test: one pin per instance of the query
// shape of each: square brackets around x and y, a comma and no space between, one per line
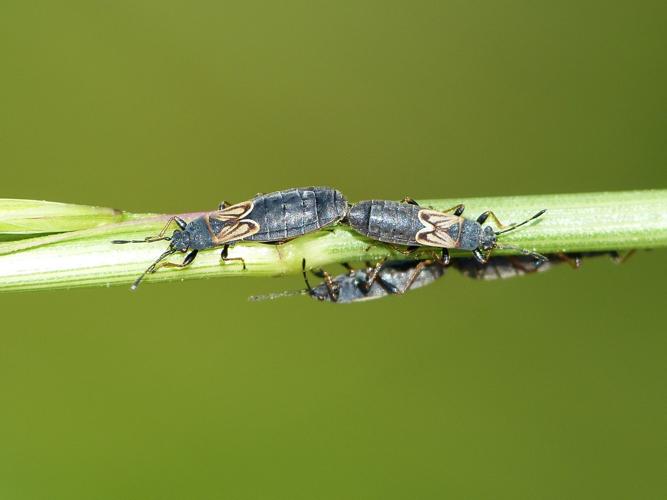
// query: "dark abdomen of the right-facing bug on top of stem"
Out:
[388,221]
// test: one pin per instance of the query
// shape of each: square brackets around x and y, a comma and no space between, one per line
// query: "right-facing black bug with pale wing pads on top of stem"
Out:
[409,224]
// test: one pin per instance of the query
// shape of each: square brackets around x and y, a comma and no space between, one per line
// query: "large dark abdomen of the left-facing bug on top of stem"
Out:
[293,212]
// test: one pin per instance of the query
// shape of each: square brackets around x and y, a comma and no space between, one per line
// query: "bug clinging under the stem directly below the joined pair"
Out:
[395,277]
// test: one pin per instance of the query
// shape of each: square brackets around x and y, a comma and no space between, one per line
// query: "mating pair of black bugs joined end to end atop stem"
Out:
[283,215]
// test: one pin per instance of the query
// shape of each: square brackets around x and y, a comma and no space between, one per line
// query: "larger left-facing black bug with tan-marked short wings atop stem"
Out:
[270,218]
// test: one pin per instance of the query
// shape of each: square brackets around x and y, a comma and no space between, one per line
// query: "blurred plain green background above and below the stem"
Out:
[548,387]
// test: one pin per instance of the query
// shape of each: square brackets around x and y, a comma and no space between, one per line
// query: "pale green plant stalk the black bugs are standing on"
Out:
[86,257]
